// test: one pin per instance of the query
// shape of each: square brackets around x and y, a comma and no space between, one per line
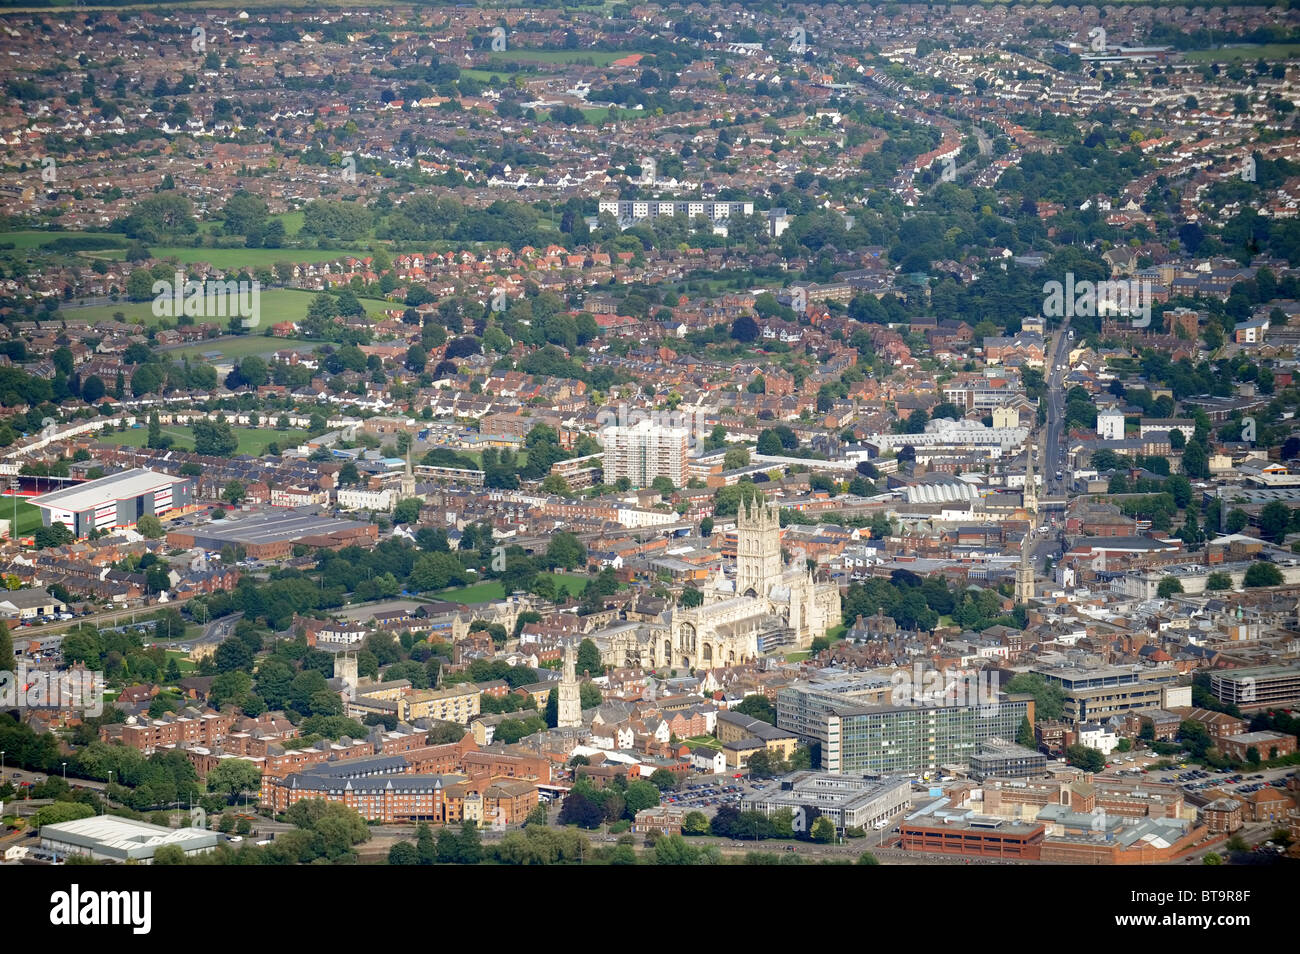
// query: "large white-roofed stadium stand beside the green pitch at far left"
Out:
[112,502]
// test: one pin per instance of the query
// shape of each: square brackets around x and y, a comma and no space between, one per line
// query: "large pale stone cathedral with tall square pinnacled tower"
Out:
[768,608]
